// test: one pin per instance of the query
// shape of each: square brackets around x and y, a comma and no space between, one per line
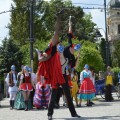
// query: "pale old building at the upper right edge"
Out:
[114,20]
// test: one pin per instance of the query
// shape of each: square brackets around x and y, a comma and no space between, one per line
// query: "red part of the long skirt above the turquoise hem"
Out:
[87,87]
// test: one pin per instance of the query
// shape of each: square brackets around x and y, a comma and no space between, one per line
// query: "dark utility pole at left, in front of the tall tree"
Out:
[31,31]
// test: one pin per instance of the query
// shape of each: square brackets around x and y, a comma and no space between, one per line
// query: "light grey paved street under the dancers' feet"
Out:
[100,111]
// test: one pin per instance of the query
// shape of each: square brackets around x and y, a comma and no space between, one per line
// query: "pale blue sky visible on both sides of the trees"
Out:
[98,16]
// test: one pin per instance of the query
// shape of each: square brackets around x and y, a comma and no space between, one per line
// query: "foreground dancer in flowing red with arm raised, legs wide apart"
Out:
[55,77]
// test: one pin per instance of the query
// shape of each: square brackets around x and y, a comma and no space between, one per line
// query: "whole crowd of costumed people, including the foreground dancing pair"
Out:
[56,77]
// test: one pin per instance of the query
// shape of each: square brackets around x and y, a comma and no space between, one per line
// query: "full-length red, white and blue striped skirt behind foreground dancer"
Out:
[42,95]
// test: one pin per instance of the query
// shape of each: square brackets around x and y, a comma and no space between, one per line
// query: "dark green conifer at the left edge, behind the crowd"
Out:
[9,54]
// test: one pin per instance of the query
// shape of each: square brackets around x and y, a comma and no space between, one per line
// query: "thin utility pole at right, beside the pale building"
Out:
[106,36]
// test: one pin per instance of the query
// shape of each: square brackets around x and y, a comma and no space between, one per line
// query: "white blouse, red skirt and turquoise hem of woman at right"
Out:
[87,90]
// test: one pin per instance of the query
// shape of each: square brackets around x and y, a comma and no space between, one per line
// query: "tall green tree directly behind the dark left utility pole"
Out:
[19,27]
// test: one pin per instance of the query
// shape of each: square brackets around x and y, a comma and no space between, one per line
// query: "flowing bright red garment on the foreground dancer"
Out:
[51,69]
